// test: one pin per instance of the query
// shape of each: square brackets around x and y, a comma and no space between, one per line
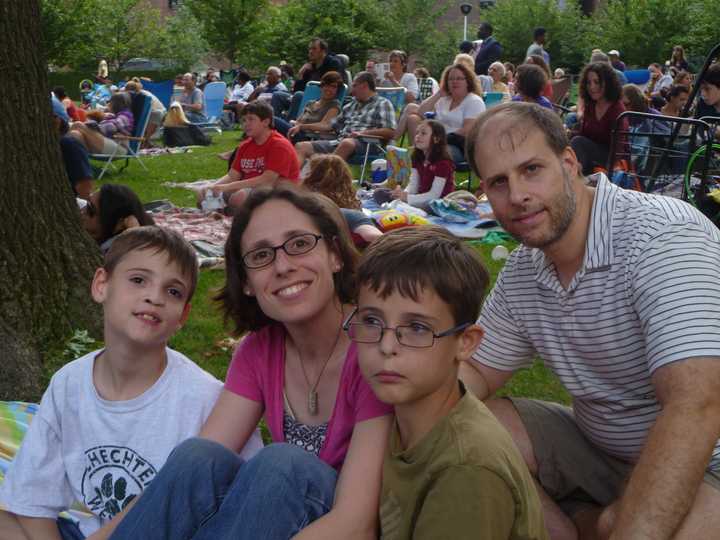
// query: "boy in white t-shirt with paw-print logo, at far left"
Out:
[109,420]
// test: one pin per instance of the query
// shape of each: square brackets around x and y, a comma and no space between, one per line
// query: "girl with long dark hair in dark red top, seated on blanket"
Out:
[432,176]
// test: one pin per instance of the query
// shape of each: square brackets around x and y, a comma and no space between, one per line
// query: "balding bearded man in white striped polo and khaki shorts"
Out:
[617,292]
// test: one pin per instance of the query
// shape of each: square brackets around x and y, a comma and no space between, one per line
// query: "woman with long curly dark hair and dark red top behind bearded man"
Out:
[600,93]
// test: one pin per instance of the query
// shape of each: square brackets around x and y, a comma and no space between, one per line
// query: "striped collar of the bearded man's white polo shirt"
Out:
[599,251]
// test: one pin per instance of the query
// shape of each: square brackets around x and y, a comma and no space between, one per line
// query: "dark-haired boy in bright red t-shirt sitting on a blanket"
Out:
[263,158]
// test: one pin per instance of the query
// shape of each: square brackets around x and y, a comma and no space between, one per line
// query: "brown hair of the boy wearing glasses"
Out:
[414,258]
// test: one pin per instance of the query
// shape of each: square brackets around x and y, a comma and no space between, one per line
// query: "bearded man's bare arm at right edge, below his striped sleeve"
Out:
[665,481]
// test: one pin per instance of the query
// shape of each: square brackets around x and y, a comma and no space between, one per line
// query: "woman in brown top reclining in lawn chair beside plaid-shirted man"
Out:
[318,114]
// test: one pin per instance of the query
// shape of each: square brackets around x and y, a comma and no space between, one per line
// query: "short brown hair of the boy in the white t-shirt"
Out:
[177,249]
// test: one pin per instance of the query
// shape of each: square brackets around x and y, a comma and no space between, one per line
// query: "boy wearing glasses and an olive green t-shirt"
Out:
[450,470]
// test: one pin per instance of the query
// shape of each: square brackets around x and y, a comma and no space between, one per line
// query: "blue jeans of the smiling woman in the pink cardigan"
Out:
[206,492]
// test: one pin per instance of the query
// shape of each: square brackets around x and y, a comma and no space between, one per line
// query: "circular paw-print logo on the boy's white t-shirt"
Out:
[113,476]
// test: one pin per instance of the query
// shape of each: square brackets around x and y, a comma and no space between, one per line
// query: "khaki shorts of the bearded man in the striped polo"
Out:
[571,470]
